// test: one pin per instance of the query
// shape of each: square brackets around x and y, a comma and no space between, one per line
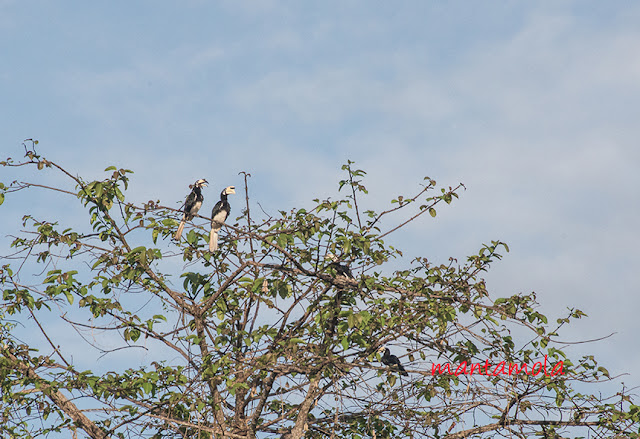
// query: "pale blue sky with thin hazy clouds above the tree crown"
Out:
[532,105]
